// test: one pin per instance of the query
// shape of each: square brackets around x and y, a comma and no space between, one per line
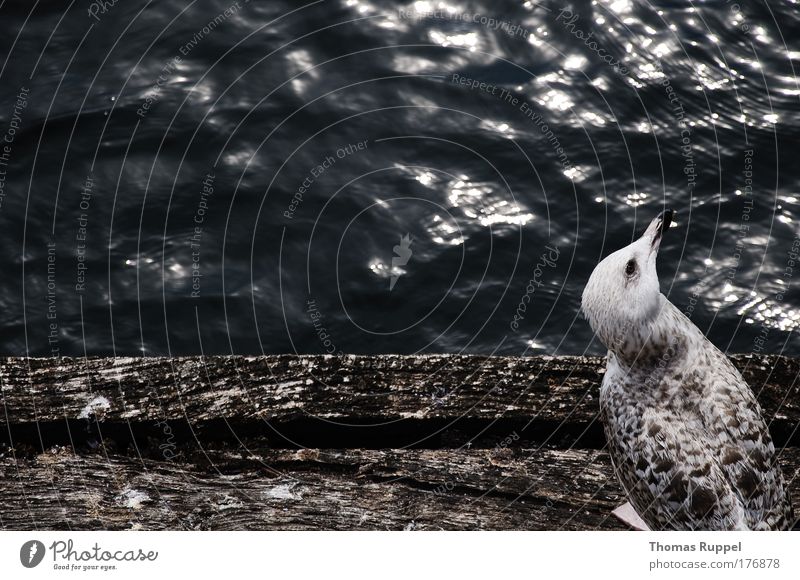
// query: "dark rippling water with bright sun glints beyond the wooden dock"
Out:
[591,118]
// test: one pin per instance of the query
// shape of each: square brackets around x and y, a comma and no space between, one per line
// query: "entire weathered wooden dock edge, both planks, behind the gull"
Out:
[423,442]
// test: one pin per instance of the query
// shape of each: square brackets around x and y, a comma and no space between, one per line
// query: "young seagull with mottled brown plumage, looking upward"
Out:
[687,438]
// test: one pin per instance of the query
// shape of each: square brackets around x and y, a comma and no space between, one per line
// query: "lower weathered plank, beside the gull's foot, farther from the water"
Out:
[320,489]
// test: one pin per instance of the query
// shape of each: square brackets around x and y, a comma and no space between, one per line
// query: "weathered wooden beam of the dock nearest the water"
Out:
[388,387]
